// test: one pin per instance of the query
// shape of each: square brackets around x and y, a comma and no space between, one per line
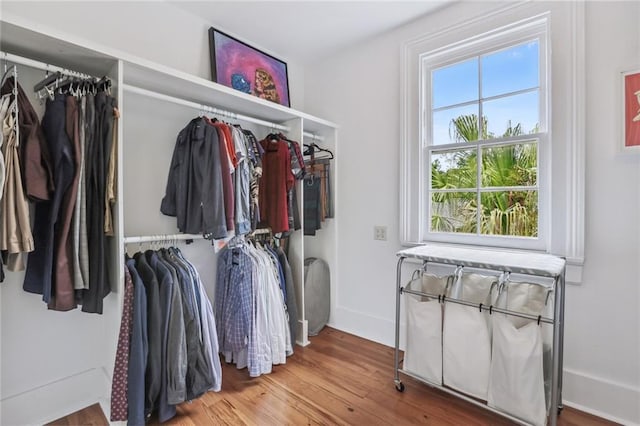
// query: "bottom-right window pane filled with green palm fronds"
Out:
[512,213]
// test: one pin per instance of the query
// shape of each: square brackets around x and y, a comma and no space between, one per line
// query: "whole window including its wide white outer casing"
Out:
[472,46]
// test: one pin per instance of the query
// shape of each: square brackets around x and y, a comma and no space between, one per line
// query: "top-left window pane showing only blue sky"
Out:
[455,84]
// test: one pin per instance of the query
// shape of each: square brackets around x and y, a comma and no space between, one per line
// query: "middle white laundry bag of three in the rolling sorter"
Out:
[466,337]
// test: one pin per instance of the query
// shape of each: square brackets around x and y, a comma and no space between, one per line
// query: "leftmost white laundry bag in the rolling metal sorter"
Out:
[423,352]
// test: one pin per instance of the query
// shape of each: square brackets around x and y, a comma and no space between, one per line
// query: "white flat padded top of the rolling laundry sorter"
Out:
[540,264]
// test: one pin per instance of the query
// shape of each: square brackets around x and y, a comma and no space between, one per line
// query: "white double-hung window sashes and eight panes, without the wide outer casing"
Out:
[483,131]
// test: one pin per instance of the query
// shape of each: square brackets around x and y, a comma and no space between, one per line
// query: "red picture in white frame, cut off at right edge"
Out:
[631,110]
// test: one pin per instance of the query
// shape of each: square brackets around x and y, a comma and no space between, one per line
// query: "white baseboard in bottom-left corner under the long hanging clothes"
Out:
[54,400]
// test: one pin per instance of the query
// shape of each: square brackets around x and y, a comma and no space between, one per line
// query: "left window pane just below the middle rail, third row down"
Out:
[454,169]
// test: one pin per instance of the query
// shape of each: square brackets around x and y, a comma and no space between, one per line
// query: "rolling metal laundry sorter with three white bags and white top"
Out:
[490,332]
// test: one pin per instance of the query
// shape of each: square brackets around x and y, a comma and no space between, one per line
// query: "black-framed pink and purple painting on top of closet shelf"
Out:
[236,64]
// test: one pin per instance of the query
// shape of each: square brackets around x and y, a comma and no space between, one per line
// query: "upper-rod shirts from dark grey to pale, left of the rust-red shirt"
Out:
[212,187]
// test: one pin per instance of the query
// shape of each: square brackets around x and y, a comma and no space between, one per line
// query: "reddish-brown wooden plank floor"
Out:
[338,379]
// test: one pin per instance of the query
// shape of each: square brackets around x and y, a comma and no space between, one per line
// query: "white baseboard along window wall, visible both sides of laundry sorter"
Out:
[595,395]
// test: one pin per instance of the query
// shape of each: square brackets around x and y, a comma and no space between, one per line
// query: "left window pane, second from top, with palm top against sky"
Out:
[463,129]
